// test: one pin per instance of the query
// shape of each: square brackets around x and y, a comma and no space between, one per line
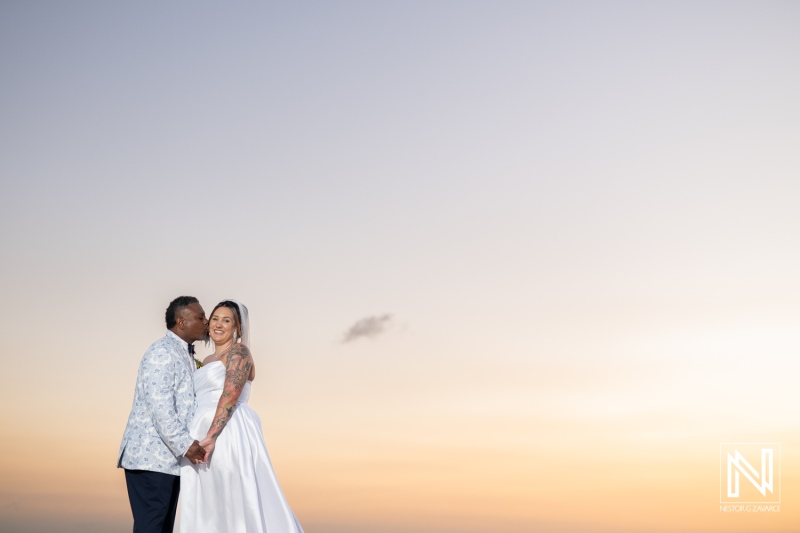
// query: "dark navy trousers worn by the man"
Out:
[154,499]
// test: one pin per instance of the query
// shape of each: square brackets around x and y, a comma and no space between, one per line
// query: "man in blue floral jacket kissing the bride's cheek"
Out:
[157,434]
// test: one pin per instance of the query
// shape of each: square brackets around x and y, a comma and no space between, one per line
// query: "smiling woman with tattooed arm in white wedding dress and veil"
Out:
[236,490]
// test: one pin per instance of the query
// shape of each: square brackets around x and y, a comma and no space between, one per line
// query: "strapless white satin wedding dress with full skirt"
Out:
[236,491]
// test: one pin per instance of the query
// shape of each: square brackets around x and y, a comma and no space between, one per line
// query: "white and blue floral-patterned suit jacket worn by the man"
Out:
[157,433]
